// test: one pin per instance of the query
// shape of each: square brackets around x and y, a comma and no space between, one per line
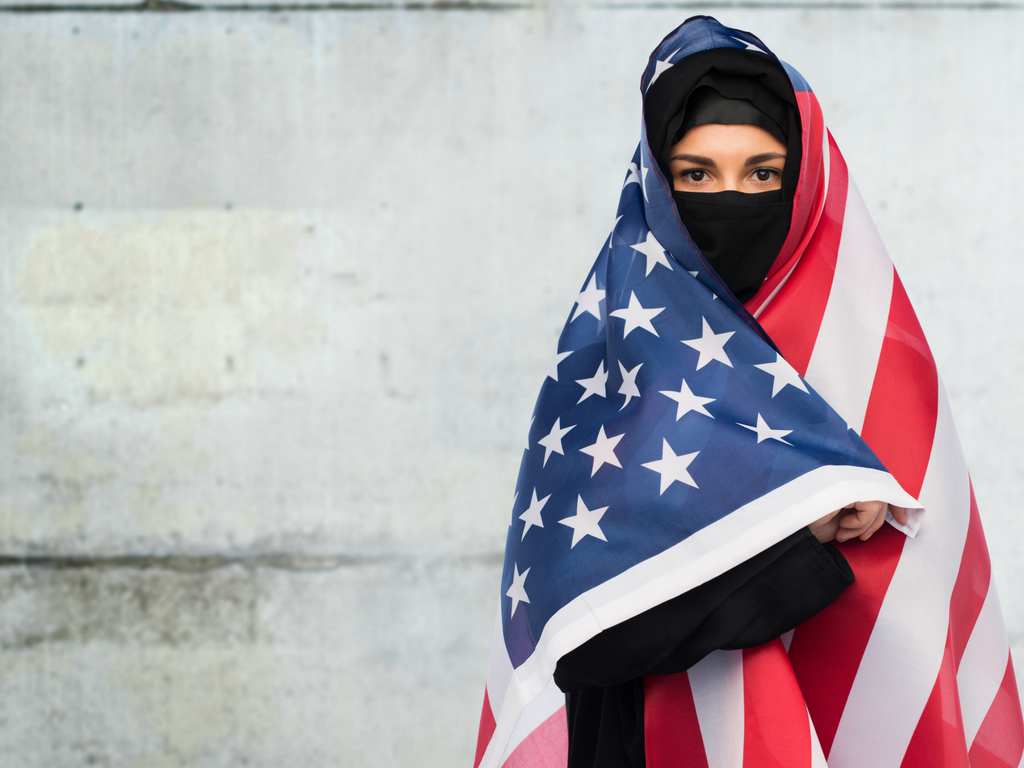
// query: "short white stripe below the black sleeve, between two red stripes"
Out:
[717,684]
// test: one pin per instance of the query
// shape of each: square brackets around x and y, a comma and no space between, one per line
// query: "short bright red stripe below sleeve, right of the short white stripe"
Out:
[777,732]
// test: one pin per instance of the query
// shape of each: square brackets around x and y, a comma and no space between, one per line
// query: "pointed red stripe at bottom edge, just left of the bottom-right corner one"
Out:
[938,740]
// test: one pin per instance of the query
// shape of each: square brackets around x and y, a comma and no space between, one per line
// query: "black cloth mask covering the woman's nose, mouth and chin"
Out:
[740,234]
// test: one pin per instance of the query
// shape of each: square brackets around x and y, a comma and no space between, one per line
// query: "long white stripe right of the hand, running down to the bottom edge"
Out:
[910,636]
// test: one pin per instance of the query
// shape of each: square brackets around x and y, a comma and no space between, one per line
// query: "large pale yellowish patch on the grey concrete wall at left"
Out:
[156,304]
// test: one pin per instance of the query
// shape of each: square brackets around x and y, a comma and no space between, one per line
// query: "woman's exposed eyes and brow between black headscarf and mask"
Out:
[718,158]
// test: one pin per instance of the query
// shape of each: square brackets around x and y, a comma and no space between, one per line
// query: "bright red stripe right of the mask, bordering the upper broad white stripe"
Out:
[794,317]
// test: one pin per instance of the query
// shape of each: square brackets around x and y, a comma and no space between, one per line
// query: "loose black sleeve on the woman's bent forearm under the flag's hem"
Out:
[751,605]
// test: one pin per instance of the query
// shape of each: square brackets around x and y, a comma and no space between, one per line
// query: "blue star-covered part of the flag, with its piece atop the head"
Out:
[665,410]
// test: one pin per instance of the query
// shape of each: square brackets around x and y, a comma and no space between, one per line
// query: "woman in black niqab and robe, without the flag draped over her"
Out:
[727,159]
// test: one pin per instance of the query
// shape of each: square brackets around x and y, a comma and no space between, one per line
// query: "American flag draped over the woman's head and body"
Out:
[678,434]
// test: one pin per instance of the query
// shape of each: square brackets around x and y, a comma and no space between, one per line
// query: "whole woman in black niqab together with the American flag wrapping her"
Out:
[743,239]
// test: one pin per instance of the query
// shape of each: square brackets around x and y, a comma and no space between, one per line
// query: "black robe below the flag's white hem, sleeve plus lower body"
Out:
[751,605]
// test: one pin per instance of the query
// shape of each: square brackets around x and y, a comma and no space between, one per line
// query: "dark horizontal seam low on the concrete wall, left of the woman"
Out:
[200,564]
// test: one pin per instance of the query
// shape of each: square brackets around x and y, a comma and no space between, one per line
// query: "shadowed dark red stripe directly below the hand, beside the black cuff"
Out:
[827,650]
